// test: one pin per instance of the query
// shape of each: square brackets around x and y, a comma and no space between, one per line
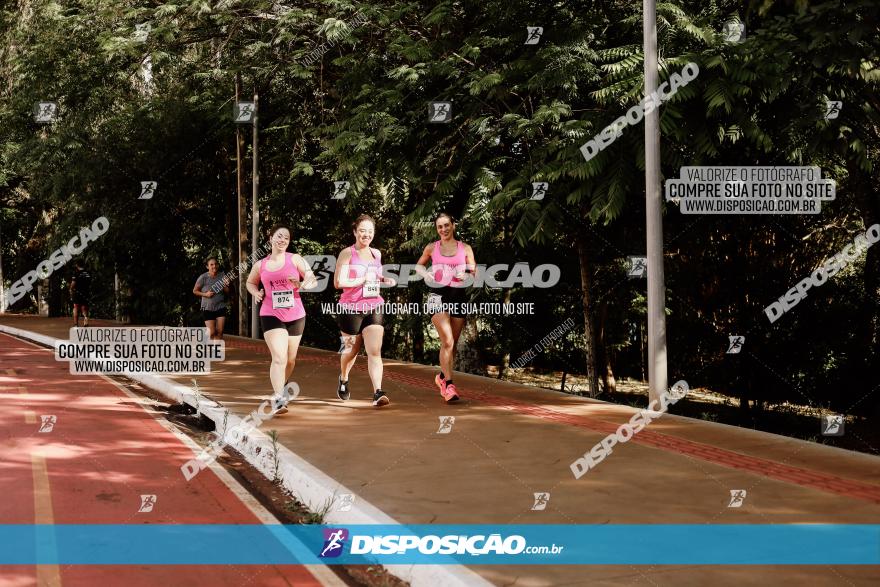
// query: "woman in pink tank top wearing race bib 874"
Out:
[275,281]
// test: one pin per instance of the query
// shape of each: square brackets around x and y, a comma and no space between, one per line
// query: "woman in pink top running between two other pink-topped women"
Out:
[358,274]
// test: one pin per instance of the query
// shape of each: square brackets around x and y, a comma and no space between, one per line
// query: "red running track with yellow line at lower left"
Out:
[102,454]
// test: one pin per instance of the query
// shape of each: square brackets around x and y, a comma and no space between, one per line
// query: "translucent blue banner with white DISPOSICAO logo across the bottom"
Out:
[524,544]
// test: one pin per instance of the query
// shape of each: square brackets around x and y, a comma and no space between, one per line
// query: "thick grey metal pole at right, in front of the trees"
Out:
[657,375]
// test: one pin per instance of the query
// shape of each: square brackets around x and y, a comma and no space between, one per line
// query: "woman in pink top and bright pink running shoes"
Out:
[450,260]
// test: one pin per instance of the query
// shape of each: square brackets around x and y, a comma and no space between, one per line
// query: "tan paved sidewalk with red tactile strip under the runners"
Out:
[510,441]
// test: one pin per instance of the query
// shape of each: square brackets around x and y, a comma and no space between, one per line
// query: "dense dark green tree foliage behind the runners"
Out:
[343,91]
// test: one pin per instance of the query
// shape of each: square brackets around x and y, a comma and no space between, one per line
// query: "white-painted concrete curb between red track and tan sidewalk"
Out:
[311,485]
